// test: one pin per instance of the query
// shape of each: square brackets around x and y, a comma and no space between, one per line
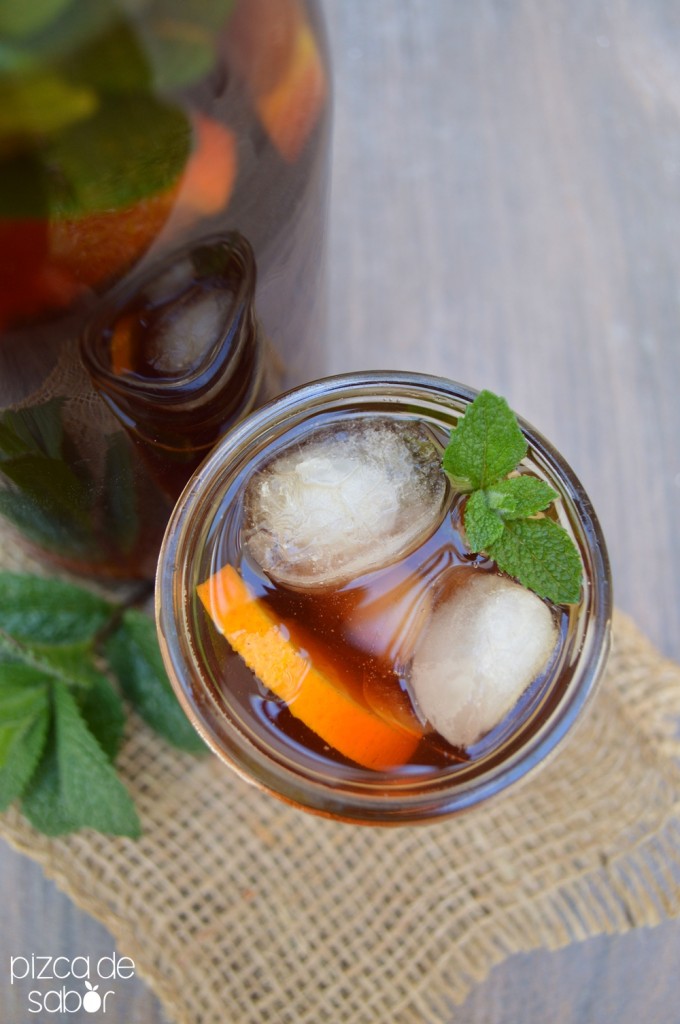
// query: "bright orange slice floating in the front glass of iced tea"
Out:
[296,671]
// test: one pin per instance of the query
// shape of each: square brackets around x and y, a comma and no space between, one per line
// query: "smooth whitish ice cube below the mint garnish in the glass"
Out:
[487,642]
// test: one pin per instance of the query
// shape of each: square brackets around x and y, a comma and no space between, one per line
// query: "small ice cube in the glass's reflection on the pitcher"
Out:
[186,331]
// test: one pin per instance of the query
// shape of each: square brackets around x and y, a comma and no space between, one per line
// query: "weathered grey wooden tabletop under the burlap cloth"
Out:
[506,212]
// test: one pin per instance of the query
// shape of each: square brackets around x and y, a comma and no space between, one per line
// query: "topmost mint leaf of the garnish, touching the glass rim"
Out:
[486,446]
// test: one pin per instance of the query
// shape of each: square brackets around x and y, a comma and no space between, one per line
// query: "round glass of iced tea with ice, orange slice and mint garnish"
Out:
[385,599]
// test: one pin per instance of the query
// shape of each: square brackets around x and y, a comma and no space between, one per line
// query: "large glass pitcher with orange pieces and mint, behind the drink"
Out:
[139,138]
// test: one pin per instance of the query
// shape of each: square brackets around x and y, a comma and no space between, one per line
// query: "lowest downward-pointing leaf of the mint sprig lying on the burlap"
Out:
[76,787]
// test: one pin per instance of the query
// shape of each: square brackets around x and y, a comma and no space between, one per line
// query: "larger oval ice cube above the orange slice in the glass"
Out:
[345,501]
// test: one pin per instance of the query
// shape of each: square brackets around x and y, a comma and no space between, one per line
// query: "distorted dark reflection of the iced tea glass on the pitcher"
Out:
[183,358]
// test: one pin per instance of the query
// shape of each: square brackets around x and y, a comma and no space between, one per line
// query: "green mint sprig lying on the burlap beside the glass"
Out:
[62,717]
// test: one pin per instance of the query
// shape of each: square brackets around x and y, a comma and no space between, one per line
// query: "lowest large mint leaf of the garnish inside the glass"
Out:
[542,557]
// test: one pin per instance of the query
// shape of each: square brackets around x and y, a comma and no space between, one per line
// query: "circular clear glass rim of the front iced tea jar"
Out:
[385,801]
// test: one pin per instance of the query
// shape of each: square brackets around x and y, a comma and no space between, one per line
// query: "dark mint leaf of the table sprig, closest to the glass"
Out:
[135,657]
